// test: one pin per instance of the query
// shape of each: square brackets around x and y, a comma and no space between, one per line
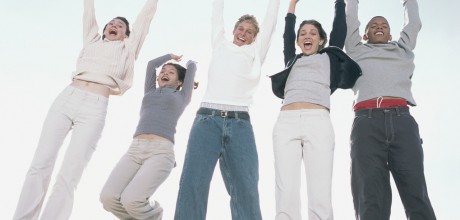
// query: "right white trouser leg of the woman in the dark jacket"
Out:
[318,155]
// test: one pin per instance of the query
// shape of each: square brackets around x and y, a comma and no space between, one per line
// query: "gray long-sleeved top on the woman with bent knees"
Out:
[162,107]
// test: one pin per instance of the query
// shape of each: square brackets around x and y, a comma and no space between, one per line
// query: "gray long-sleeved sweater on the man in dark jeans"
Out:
[387,68]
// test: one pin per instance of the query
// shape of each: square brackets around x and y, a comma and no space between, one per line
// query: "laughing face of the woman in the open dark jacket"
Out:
[309,39]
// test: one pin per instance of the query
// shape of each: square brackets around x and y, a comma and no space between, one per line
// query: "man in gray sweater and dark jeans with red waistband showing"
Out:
[385,137]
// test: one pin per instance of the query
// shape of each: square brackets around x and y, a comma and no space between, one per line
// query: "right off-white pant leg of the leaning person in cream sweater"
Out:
[89,120]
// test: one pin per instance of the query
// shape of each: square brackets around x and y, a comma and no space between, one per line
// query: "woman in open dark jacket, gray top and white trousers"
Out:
[303,130]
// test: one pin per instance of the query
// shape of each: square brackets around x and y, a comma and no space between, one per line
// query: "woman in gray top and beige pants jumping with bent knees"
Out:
[150,158]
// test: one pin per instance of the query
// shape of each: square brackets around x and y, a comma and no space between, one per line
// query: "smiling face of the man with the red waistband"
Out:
[377,31]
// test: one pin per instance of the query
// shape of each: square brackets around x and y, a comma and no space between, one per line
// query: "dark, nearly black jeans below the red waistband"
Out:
[385,140]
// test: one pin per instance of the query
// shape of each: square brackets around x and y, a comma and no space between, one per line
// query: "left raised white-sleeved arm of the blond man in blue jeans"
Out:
[217,22]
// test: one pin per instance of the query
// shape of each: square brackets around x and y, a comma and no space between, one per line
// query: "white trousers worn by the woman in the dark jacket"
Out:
[303,135]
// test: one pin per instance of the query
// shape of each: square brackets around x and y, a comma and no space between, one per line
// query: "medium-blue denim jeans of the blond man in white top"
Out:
[231,141]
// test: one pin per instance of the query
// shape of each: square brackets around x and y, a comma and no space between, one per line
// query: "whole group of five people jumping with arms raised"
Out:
[384,137]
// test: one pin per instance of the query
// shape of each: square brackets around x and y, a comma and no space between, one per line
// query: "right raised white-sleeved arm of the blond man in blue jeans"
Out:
[267,29]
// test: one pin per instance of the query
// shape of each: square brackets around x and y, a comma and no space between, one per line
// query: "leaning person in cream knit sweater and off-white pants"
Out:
[104,67]
